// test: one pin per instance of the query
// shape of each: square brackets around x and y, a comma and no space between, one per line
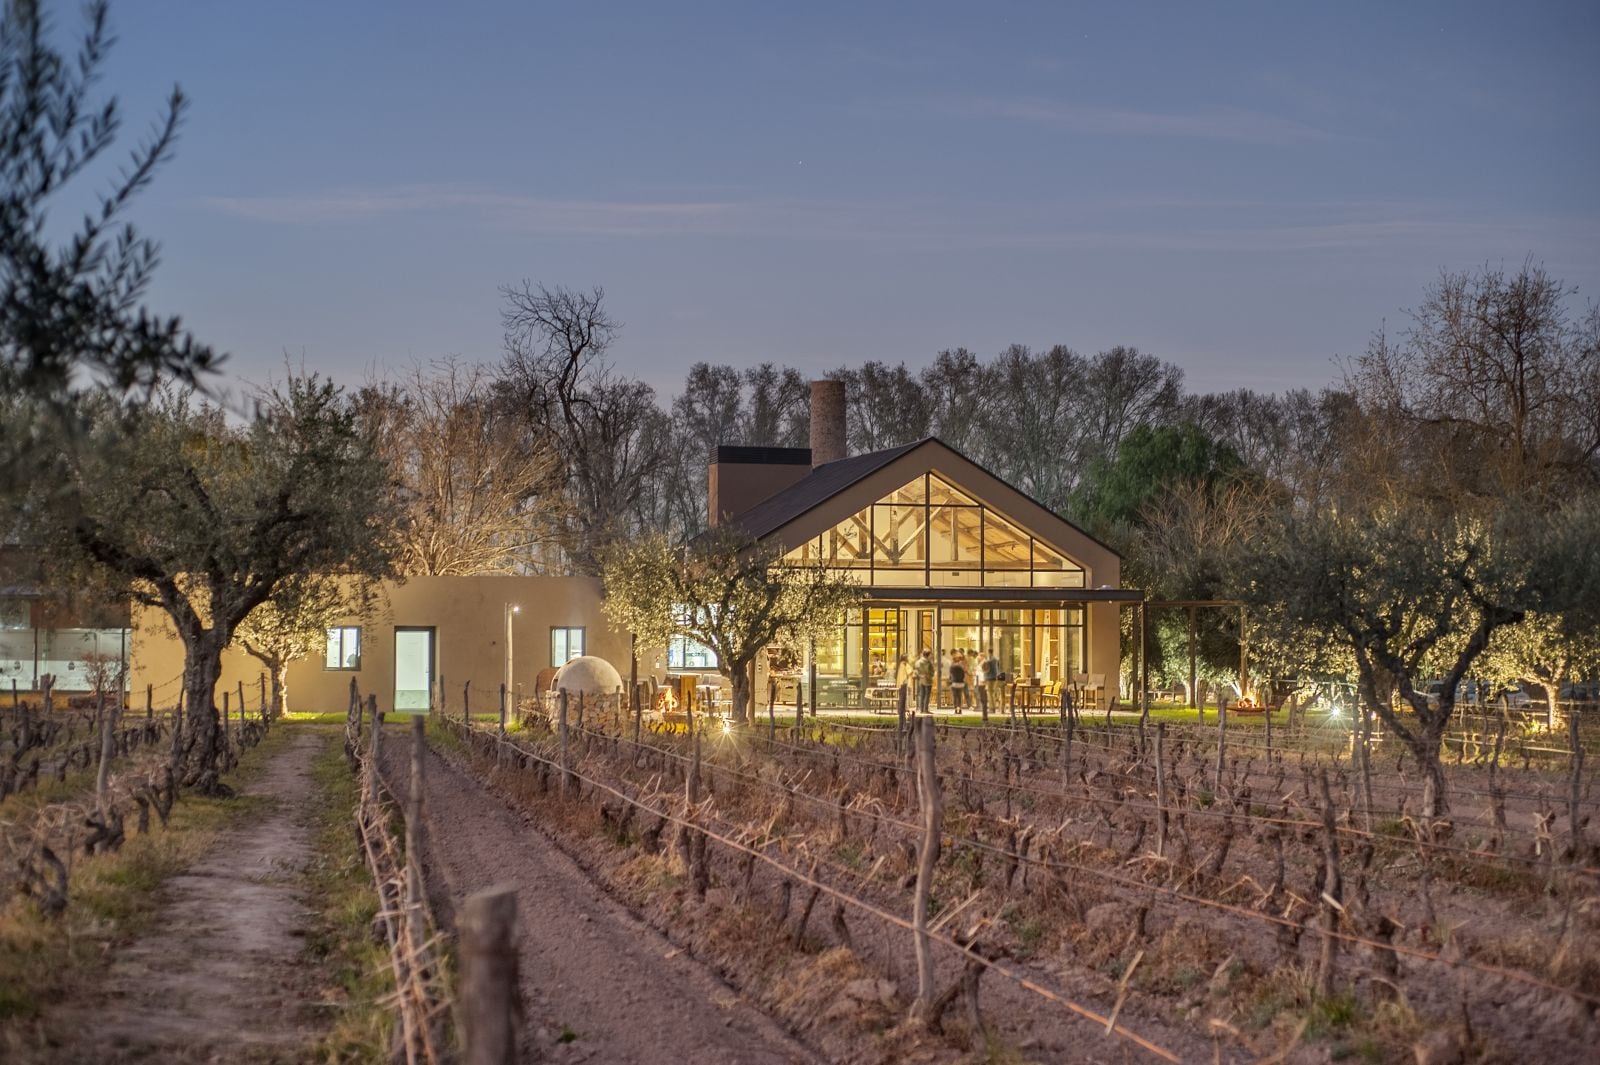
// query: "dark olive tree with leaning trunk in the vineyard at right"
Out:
[1415,599]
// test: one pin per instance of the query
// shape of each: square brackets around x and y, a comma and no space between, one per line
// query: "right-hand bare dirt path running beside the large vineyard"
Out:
[590,970]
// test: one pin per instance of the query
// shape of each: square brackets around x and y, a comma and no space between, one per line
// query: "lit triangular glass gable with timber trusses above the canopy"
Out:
[929,533]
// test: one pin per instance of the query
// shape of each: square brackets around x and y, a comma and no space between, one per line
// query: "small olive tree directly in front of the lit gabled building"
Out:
[724,591]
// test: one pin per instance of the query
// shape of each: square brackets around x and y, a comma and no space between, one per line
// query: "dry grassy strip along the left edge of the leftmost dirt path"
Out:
[114,898]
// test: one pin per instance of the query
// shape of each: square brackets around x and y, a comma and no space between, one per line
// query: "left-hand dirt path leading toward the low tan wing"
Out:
[222,978]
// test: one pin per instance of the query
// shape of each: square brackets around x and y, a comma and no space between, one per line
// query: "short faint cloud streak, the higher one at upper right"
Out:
[1218,124]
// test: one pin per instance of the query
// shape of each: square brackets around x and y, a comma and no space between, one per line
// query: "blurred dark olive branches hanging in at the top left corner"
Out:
[71,313]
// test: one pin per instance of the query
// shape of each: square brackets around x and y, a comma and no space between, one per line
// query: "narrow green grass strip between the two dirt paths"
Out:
[354,965]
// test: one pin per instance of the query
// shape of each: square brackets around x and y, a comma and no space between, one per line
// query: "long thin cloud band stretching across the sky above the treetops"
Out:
[1186,225]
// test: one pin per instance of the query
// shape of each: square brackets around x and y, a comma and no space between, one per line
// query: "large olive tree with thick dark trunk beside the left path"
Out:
[207,521]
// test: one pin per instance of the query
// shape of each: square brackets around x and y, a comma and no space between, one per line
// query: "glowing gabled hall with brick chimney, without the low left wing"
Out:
[950,557]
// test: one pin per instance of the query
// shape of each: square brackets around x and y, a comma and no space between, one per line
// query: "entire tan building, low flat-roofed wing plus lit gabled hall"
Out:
[948,556]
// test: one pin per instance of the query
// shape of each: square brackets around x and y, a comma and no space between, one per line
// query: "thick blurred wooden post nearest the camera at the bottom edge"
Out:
[489,978]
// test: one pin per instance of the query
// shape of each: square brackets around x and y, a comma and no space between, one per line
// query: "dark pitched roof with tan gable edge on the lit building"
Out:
[815,492]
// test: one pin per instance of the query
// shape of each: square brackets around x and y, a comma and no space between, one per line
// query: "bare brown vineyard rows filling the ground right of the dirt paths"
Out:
[1126,891]
